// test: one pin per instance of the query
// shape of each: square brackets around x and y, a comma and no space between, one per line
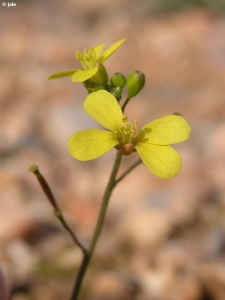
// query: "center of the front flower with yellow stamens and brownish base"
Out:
[125,137]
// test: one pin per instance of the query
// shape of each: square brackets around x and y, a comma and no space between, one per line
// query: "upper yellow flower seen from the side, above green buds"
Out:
[90,60]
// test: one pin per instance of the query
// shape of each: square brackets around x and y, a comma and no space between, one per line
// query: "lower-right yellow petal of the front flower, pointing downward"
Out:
[163,161]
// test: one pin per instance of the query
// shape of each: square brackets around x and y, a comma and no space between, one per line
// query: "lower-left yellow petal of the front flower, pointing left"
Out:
[90,144]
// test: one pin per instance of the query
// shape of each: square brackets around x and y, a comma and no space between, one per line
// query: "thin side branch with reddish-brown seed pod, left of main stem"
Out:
[57,211]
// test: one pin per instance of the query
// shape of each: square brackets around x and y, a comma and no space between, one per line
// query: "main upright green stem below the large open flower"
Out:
[98,228]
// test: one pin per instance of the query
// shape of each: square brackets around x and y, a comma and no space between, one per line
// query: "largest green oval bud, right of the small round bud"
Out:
[135,83]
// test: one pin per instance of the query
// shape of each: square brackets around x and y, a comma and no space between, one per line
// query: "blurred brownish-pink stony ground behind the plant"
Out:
[163,239]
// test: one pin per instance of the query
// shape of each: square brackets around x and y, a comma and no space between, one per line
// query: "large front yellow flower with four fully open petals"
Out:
[151,142]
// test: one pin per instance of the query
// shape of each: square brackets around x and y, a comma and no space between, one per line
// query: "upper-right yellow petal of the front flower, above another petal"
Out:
[171,129]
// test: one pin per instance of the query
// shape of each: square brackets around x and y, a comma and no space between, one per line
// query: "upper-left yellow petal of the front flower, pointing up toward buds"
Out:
[104,108]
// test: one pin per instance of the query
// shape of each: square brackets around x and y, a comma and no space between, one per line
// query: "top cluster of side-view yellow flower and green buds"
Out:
[94,75]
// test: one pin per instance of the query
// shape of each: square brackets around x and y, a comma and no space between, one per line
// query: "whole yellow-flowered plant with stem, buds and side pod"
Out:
[151,142]
